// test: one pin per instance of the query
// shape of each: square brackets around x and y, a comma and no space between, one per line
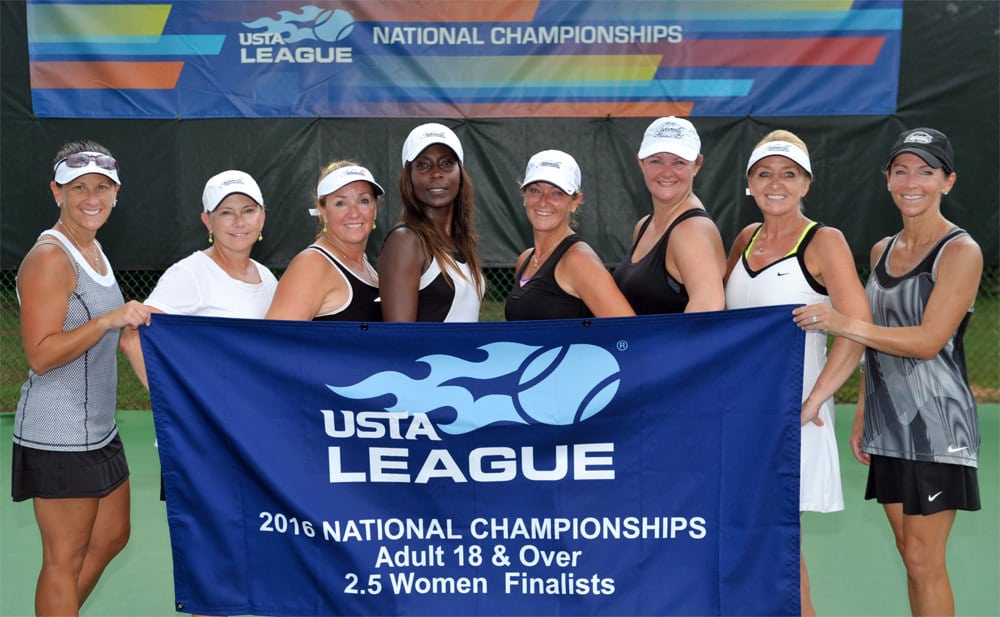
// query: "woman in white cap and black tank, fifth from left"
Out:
[560,277]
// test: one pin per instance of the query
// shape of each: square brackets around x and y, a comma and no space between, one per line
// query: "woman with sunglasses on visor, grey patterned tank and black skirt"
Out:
[68,457]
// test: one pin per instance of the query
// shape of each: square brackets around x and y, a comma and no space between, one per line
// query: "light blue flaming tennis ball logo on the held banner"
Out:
[515,383]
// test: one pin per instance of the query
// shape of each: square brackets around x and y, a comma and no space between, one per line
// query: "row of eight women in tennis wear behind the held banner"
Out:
[915,424]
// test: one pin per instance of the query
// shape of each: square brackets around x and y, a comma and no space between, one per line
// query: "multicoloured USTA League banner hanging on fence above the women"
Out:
[461,58]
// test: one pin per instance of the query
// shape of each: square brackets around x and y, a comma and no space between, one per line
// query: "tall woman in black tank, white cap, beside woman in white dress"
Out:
[676,263]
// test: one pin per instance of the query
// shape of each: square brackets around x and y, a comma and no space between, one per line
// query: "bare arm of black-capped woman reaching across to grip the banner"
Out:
[959,269]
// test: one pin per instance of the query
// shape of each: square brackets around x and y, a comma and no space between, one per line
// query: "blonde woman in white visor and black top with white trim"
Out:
[332,280]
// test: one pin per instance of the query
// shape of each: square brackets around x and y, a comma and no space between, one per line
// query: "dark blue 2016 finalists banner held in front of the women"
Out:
[642,466]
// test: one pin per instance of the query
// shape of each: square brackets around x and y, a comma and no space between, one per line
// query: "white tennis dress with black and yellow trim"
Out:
[787,281]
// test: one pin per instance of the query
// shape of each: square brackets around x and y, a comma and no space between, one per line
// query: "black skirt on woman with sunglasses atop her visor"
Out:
[53,475]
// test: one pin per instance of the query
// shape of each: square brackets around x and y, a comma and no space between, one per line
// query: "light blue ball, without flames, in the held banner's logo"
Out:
[566,384]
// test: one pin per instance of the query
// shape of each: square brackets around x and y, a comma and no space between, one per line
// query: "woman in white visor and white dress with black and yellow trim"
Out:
[790,259]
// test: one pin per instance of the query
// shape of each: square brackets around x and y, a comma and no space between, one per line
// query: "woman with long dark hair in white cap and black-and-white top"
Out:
[428,267]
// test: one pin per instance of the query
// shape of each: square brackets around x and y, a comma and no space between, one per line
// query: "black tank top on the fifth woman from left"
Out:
[540,297]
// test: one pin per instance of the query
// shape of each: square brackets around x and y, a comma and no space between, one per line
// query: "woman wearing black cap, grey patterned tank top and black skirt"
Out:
[916,425]
